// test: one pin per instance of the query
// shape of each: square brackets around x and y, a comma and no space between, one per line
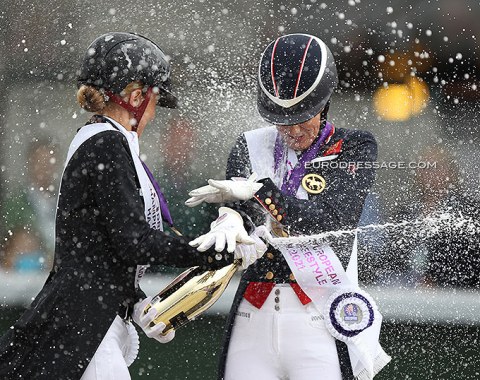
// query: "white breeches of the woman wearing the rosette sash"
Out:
[282,340]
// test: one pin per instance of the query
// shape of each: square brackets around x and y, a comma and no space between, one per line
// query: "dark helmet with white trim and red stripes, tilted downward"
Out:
[296,77]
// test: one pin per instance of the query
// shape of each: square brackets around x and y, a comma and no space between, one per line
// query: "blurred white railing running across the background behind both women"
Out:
[416,305]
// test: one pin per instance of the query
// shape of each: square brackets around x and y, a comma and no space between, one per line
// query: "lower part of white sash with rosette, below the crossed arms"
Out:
[334,291]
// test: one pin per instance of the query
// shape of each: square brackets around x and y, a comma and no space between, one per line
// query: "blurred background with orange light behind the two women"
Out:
[408,73]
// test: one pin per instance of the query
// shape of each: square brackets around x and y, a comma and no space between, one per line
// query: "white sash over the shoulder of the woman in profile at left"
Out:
[150,197]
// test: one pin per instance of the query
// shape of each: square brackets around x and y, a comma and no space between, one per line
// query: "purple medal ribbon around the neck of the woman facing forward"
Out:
[293,177]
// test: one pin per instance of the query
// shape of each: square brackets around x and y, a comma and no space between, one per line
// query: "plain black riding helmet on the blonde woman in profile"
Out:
[114,60]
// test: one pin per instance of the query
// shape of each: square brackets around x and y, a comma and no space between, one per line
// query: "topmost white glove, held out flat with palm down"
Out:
[236,189]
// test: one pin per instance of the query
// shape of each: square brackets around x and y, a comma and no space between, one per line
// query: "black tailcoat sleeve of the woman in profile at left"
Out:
[117,195]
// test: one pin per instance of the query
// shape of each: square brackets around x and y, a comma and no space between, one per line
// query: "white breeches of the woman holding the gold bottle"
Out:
[119,346]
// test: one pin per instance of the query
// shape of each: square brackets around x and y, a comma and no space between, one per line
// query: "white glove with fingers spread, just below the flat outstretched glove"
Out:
[228,228]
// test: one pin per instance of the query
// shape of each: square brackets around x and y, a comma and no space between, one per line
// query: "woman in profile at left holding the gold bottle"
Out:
[109,228]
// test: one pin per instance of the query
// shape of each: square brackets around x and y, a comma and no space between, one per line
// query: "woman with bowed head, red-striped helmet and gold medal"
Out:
[309,185]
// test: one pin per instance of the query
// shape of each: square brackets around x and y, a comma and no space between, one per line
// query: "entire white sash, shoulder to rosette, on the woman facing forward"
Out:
[321,275]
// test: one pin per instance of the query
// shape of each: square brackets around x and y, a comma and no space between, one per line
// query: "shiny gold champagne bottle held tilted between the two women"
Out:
[189,295]
